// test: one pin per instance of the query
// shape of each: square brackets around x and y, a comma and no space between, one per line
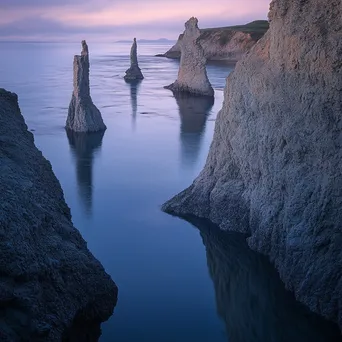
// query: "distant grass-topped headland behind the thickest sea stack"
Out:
[225,43]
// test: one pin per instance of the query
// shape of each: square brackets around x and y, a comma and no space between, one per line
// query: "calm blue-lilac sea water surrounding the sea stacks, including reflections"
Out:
[176,282]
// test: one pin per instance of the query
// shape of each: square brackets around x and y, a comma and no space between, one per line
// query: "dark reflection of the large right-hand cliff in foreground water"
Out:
[251,298]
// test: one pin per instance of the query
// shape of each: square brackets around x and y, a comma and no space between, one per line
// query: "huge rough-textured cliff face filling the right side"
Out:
[274,168]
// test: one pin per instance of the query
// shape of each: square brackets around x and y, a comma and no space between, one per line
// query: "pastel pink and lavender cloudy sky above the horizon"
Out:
[111,20]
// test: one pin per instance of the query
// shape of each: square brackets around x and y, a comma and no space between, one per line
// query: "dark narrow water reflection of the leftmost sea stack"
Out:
[83,146]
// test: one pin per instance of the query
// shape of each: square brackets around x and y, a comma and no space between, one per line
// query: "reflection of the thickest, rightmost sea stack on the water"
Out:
[193,112]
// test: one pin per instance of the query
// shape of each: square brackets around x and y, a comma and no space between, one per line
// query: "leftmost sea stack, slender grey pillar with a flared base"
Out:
[83,115]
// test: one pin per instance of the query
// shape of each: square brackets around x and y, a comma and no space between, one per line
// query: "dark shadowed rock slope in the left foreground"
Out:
[49,281]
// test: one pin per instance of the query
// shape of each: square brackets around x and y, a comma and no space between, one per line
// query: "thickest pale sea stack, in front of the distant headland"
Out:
[192,74]
